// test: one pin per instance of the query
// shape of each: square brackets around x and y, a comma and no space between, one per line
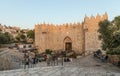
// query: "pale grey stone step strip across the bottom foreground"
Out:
[58,71]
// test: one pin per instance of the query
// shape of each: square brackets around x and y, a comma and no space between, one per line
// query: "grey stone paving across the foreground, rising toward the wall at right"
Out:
[86,66]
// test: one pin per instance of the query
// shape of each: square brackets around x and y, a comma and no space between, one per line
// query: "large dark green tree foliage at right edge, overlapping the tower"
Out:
[110,35]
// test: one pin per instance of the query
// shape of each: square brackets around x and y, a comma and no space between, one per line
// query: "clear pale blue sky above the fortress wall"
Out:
[27,13]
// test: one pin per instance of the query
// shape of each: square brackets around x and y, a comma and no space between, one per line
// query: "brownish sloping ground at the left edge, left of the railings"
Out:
[10,59]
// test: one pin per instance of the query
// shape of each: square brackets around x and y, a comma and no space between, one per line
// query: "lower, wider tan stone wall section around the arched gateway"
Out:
[52,37]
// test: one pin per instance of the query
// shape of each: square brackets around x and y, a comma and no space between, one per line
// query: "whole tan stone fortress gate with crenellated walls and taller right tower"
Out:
[79,37]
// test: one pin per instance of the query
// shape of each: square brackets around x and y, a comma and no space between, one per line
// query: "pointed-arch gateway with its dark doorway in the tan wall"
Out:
[67,43]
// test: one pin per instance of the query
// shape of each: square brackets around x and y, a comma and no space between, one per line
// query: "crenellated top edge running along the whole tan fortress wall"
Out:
[91,19]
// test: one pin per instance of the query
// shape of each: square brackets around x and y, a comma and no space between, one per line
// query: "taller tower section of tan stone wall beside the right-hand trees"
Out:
[92,42]
